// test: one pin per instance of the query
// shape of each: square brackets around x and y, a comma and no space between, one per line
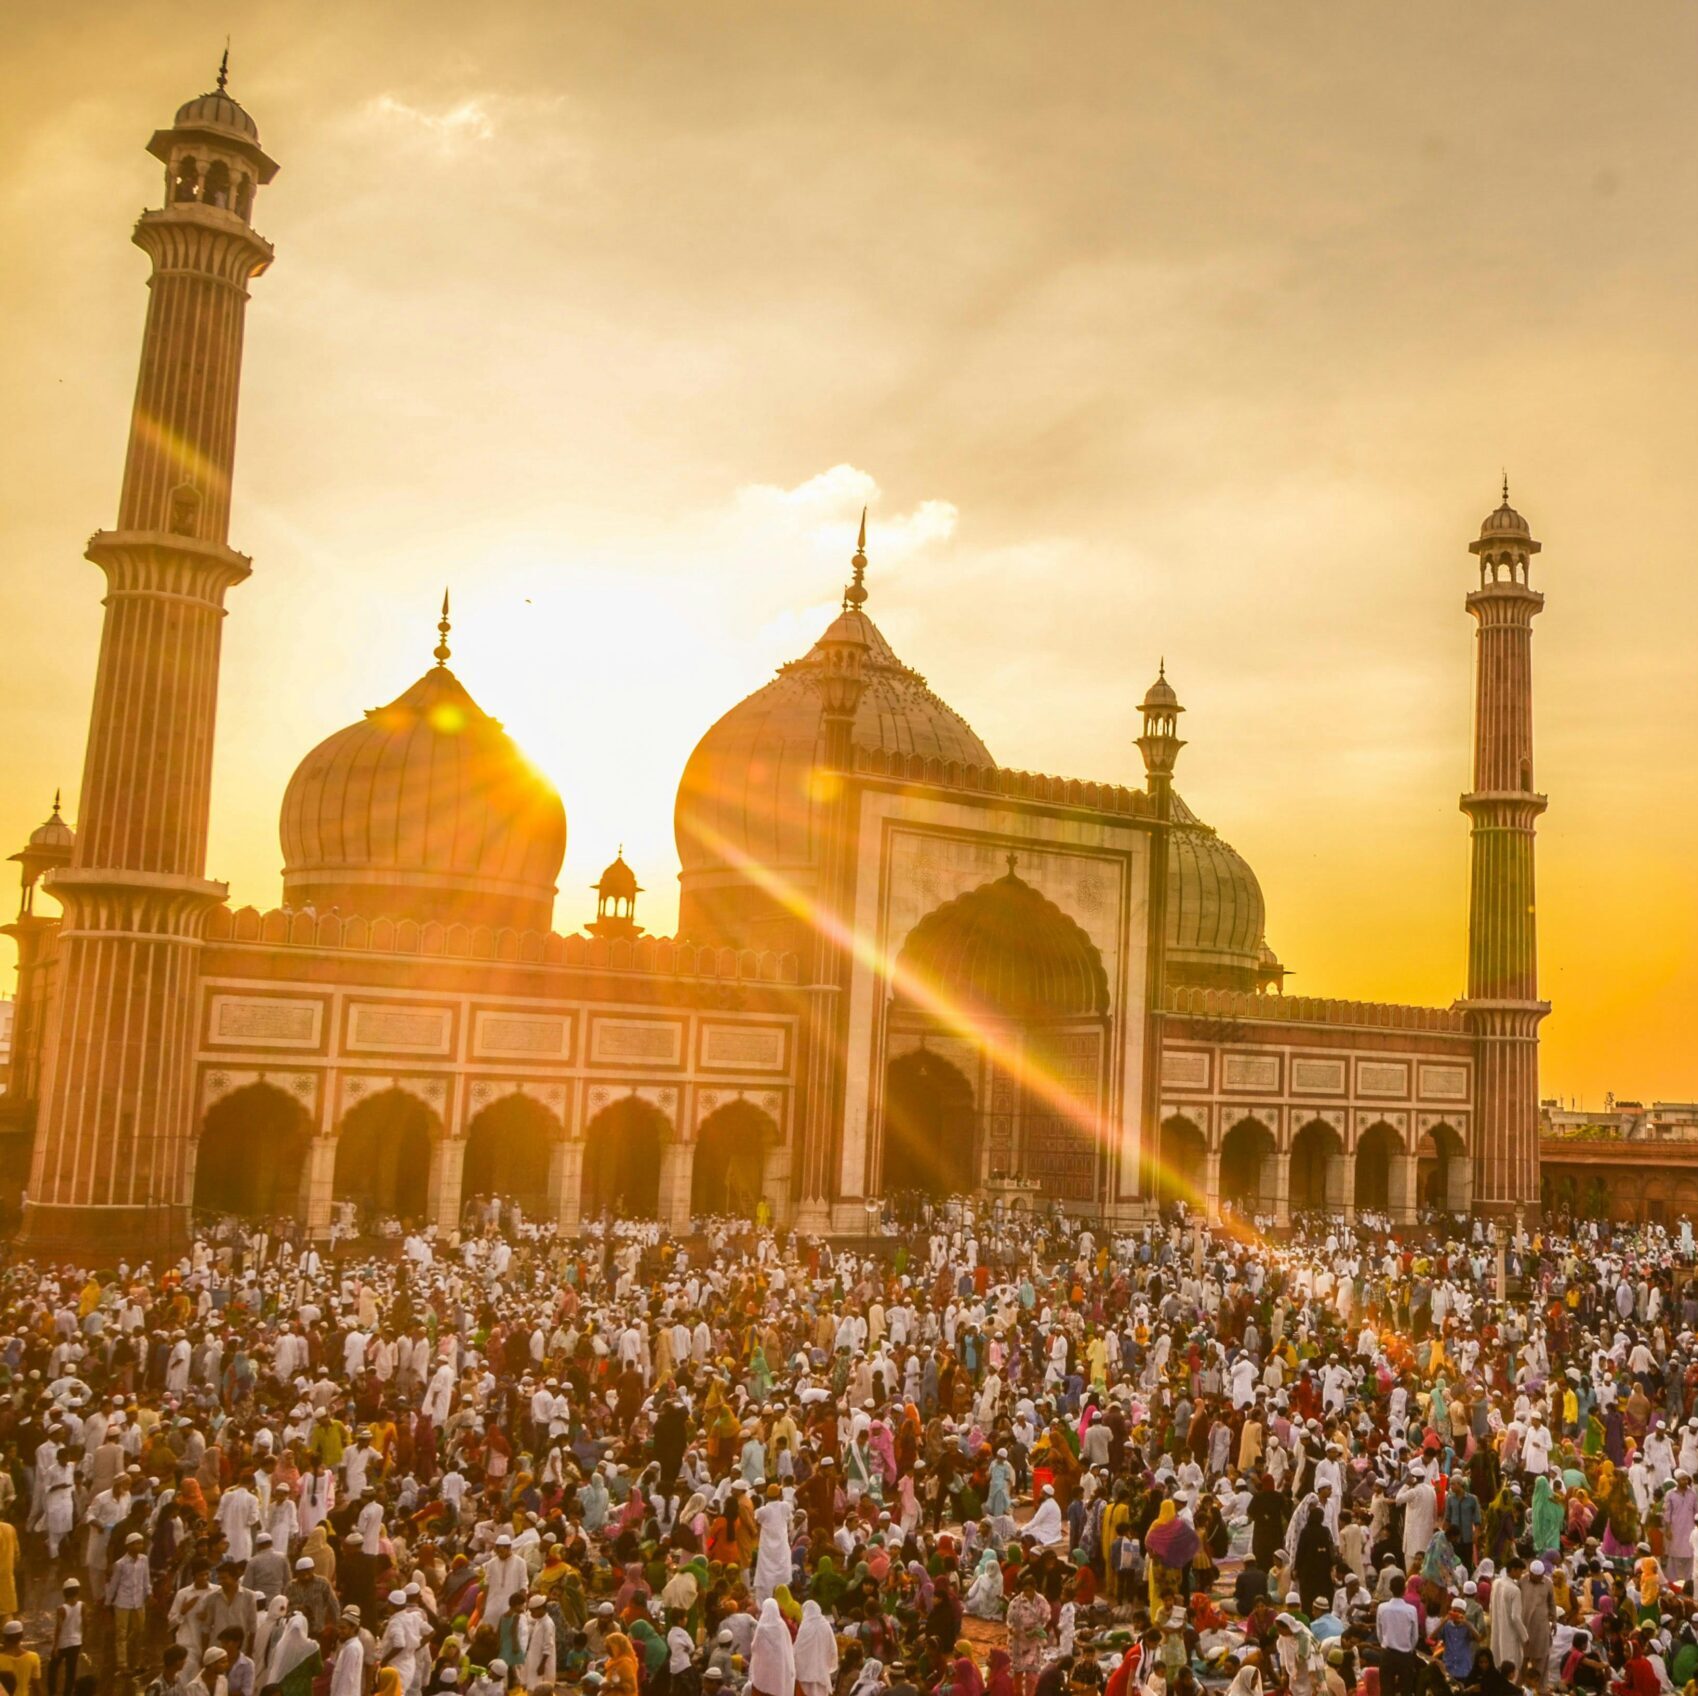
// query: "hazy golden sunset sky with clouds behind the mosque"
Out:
[1145,330]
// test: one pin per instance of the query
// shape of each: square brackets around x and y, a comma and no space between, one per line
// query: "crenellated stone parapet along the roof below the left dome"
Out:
[660,957]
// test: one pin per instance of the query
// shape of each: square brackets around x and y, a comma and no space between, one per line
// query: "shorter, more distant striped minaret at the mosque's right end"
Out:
[1504,807]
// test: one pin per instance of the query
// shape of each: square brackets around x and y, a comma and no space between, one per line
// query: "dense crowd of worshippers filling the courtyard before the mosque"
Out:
[969,1457]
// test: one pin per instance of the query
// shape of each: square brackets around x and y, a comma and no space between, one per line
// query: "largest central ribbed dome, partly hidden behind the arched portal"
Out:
[750,790]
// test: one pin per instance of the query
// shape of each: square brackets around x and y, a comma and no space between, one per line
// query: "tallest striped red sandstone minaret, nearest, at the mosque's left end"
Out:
[111,1162]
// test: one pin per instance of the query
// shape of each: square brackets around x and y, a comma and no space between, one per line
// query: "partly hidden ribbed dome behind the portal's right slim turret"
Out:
[1215,916]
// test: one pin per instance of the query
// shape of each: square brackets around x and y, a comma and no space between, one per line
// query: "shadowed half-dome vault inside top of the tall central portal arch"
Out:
[1003,952]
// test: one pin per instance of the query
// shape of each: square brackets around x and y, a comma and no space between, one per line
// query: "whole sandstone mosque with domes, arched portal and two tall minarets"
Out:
[901,965]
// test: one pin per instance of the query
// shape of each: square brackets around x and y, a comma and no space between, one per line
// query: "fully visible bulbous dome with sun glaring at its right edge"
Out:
[425,809]
